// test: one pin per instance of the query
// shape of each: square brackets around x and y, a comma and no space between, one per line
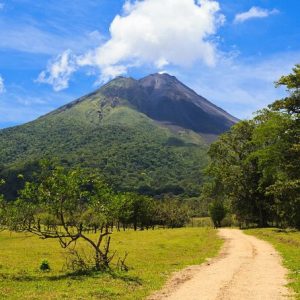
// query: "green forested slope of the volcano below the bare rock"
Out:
[133,152]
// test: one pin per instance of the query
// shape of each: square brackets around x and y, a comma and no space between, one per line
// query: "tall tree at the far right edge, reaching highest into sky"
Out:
[286,188]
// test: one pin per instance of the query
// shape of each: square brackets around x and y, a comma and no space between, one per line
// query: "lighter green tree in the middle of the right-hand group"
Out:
[272,146]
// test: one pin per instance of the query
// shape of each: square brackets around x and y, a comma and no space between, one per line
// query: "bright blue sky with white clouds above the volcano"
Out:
[230,52]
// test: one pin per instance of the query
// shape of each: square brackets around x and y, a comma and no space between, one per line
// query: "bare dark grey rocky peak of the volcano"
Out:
[164,98]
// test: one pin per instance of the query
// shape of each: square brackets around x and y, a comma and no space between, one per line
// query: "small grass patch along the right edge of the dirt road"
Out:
[287,243]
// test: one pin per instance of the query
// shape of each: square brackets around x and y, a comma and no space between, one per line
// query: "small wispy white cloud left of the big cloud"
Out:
[59,71]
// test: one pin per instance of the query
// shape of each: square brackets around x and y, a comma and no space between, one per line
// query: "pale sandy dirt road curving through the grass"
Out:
[247,268]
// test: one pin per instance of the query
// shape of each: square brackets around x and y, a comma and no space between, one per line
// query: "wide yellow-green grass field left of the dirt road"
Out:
[153,256]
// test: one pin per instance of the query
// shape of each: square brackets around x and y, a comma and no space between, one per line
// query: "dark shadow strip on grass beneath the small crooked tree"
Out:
[82,275]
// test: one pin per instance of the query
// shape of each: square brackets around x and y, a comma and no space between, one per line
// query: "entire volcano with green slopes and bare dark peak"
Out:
[148,135]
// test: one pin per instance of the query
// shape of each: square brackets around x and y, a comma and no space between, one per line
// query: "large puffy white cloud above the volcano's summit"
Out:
[158,33]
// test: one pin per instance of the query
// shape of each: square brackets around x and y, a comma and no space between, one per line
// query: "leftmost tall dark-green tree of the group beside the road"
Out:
[235,174]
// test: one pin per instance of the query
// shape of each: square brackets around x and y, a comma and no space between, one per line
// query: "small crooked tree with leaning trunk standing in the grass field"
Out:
[65,205]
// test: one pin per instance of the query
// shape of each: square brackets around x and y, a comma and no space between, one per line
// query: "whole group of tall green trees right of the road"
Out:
[255,167]
